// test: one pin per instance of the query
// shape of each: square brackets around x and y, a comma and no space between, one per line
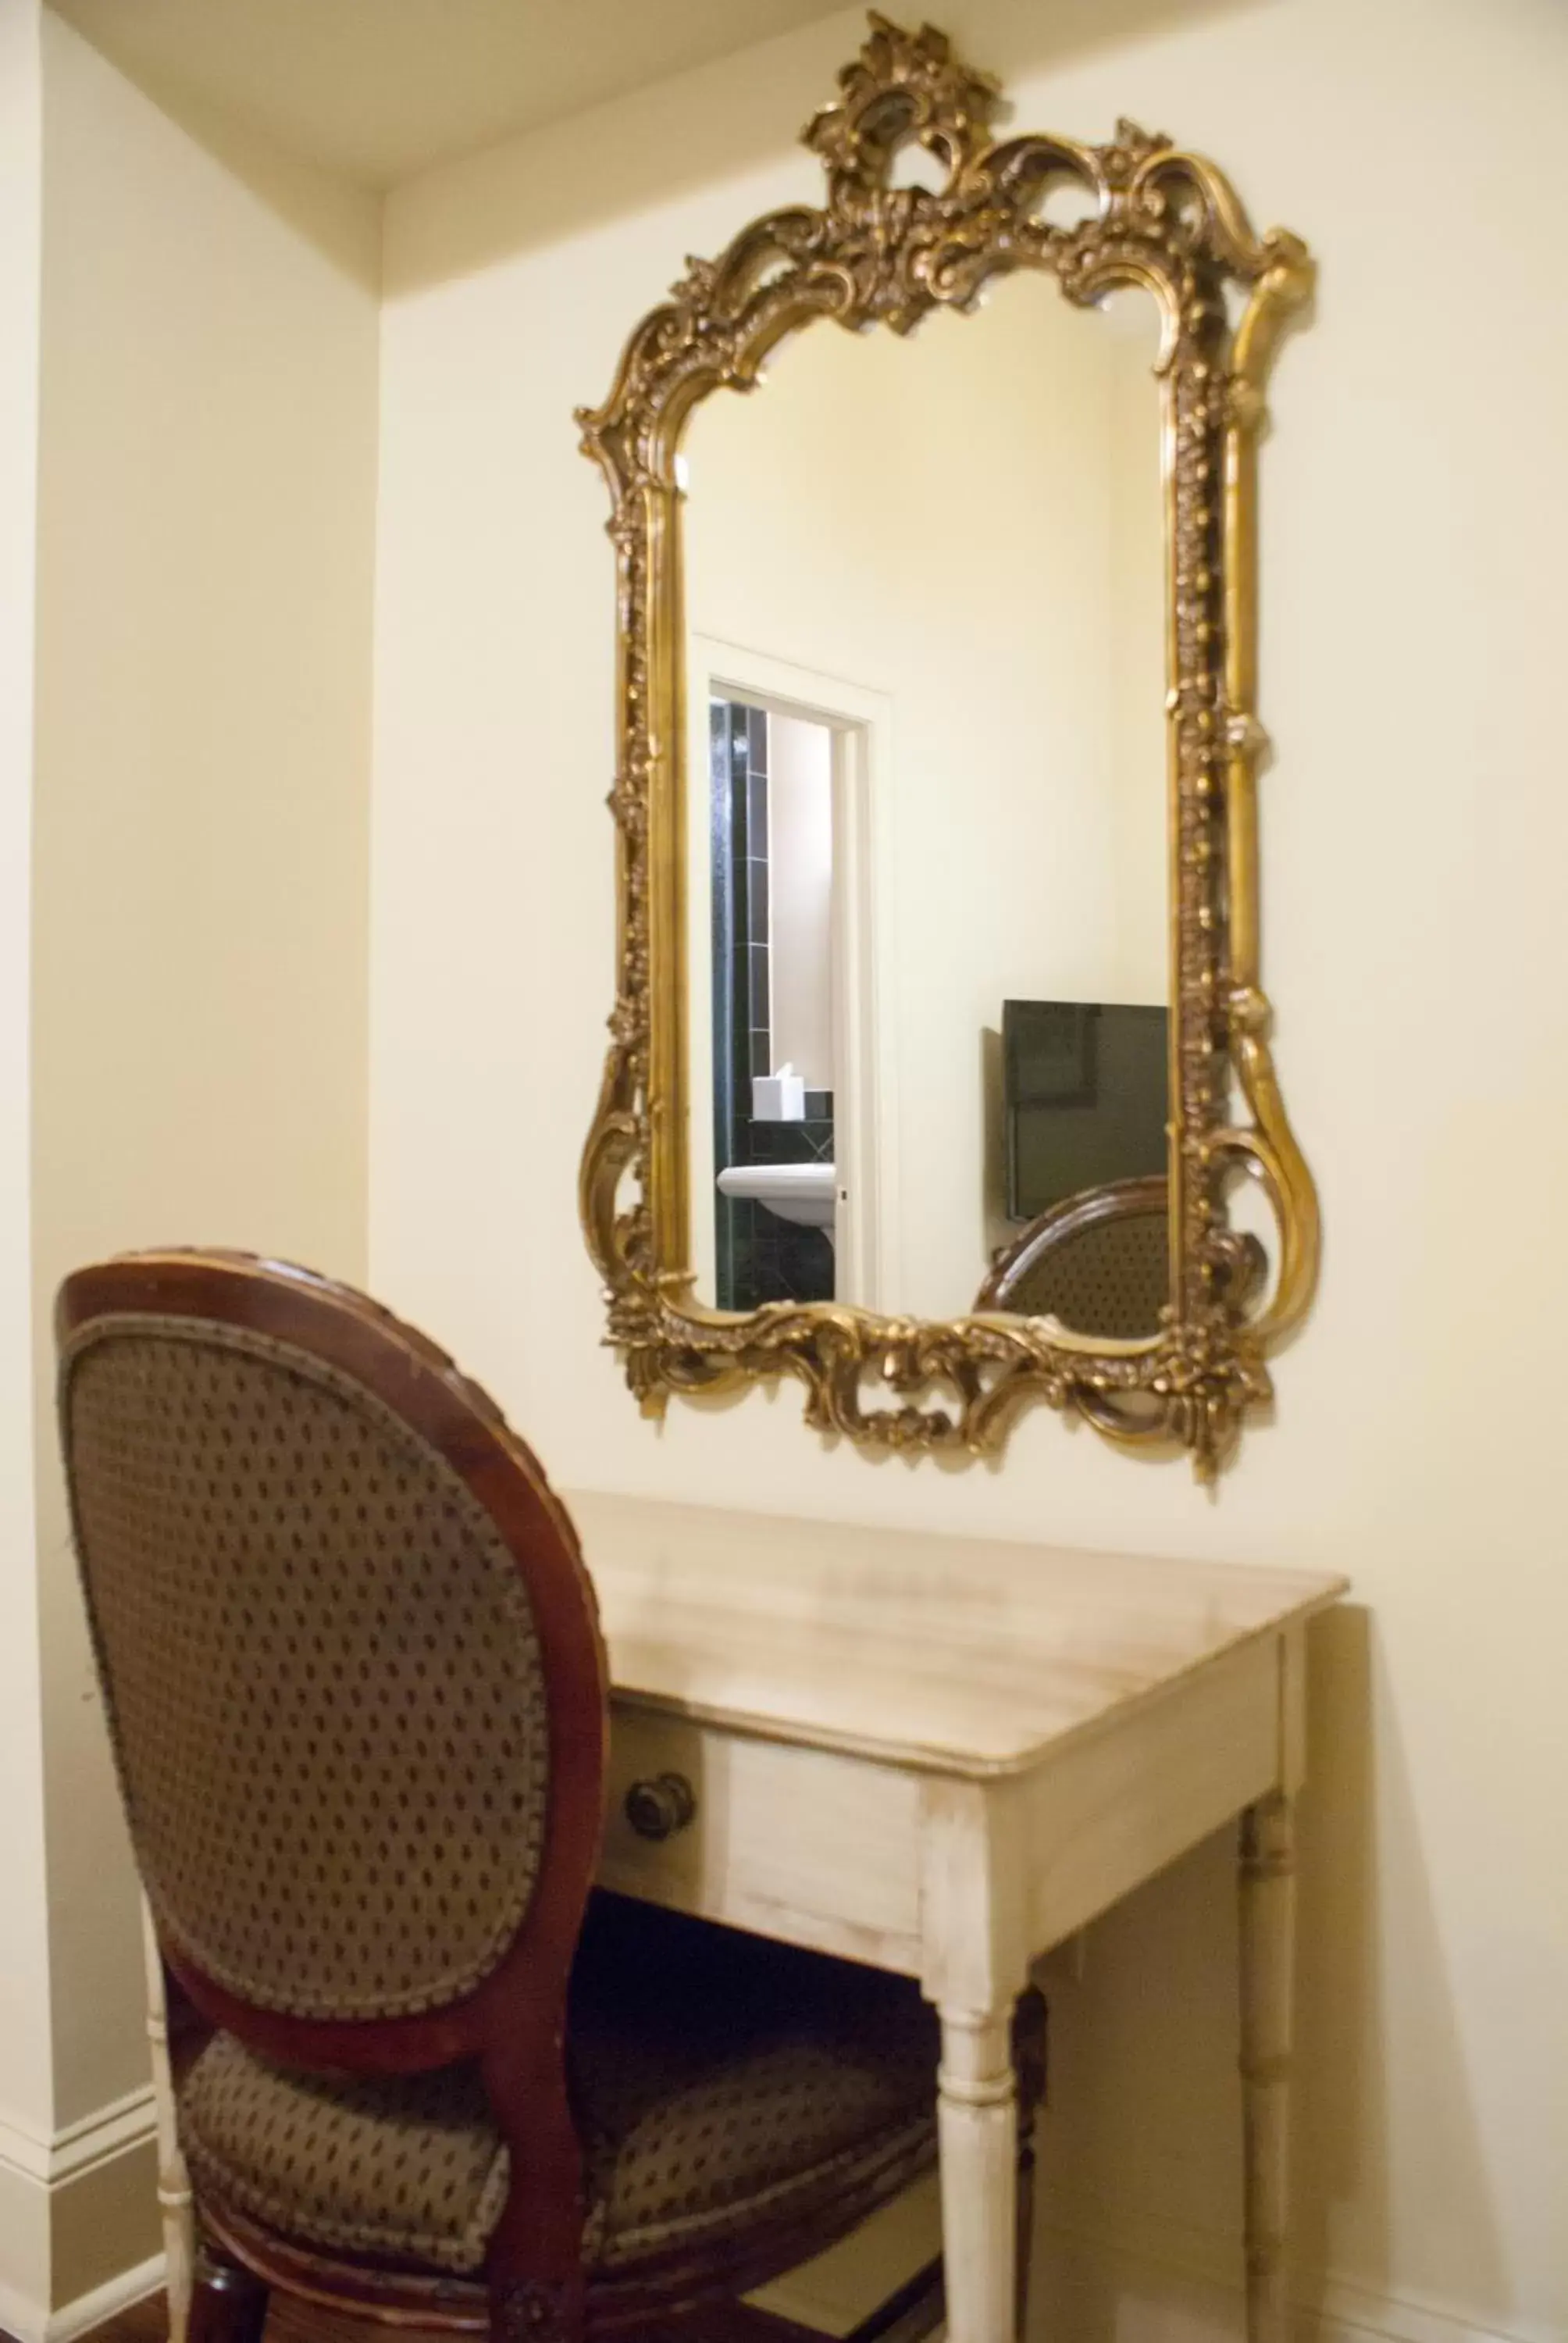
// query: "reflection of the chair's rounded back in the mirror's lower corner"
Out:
[1100,1262]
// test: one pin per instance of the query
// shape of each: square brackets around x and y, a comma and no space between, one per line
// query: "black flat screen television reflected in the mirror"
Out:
[1084,1098]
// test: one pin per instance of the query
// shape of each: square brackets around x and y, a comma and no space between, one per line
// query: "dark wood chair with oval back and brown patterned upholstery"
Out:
[357,1702]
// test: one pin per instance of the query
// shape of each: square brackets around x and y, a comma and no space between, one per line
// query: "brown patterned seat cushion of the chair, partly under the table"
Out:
[721,2082]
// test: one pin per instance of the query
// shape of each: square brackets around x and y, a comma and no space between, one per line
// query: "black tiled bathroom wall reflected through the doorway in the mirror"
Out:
[761,1257]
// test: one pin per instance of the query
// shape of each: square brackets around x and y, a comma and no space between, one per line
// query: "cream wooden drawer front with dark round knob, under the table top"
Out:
[800,1845]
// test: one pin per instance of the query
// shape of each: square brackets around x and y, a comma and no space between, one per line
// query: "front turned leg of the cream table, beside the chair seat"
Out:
[979,2147]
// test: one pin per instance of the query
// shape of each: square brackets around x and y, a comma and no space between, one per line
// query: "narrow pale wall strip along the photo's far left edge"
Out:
[27,2084]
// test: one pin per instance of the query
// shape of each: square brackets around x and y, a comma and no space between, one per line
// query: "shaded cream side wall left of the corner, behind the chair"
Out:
[200,870]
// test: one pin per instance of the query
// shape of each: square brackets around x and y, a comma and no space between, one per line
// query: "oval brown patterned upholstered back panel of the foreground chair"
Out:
[327,1688]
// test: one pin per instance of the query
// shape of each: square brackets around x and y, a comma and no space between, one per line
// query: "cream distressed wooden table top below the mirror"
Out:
[950,1655]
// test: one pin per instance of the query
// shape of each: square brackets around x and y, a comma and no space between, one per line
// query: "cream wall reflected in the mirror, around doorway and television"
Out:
[819,531]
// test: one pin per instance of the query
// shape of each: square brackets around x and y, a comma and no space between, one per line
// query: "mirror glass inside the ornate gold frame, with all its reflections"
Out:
[927,847]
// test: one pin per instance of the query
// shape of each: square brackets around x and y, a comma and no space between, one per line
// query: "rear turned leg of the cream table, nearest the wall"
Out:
[1269,1944]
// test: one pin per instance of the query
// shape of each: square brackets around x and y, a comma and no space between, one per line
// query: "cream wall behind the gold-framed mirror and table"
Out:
[1417,831]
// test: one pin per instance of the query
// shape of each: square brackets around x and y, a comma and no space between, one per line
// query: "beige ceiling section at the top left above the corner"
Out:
[379,90]
